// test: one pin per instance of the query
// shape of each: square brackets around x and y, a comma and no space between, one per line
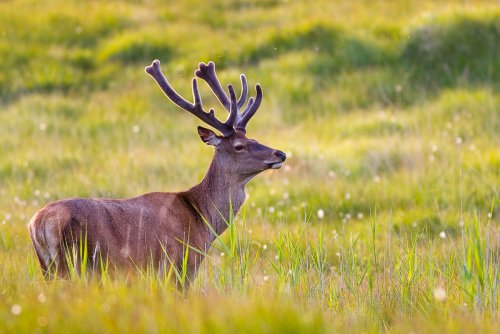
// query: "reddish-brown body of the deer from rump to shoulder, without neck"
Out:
[129,232]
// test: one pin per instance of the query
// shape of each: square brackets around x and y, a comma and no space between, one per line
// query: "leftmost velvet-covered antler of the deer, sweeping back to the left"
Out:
[196,109]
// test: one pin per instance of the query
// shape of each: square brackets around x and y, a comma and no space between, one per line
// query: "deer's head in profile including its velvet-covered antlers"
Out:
[236,153]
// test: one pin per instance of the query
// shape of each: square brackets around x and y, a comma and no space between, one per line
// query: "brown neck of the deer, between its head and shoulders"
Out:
[217,194]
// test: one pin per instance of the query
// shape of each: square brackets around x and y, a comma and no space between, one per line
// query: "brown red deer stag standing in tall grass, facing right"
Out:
[156,229]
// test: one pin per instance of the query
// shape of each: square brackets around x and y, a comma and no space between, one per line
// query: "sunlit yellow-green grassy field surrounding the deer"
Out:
[384,218]
